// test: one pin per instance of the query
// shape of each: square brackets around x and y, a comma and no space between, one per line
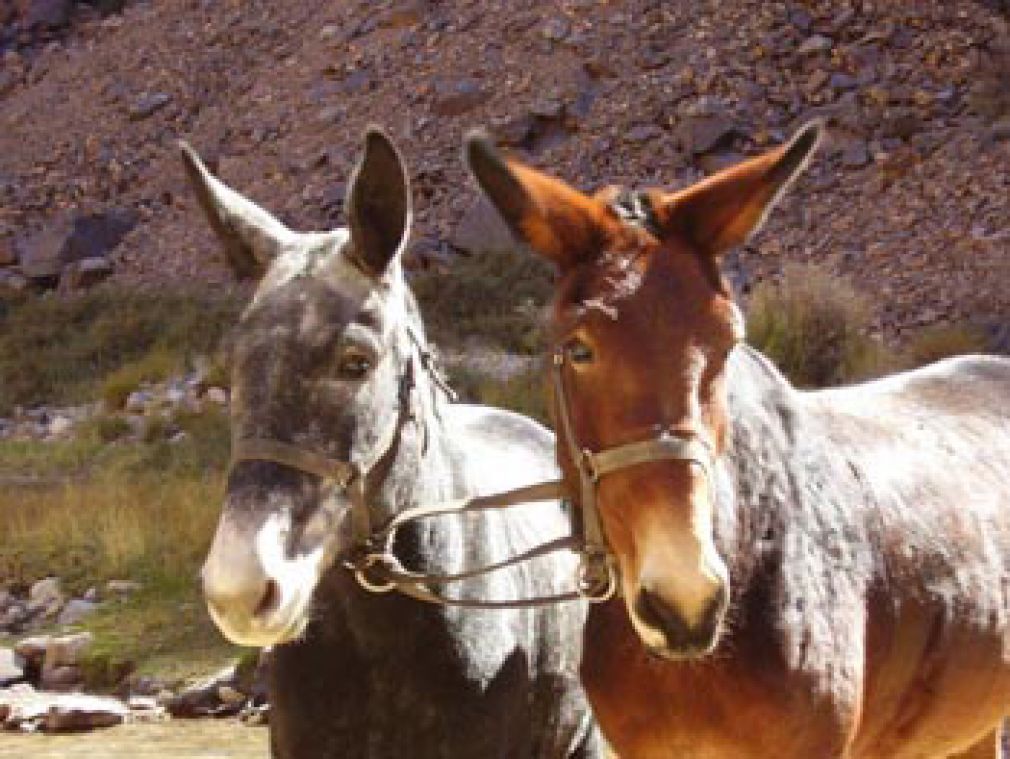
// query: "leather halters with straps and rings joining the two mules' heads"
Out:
[371,557]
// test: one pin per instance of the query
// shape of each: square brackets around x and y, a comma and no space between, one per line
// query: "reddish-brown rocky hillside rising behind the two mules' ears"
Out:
[911,198]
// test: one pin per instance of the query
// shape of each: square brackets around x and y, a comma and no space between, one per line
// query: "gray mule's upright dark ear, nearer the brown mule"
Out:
[379,205]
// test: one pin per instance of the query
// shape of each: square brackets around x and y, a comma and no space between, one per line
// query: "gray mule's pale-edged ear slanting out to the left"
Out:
[252,238]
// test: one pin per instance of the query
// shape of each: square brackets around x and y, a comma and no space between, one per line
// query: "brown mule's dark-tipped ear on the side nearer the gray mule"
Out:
[556,220]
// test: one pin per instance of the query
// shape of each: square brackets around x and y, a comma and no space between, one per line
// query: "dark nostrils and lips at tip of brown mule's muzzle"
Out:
[682,639]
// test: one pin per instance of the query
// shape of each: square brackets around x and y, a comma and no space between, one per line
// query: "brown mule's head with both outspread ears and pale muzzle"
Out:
[644,324]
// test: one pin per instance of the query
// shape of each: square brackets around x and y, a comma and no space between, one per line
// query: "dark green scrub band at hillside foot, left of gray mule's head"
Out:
[60,349]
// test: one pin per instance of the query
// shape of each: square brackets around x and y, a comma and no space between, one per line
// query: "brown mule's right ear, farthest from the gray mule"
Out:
[726,210]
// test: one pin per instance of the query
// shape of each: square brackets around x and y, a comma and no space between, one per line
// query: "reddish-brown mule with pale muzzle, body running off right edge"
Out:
[833,580]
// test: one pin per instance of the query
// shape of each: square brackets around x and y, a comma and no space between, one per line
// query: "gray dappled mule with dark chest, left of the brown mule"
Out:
[331,358]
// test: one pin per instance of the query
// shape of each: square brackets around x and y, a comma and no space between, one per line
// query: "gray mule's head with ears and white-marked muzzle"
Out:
[320,364]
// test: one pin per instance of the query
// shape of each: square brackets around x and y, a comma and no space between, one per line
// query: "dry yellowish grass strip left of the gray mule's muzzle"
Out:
[98,512]
